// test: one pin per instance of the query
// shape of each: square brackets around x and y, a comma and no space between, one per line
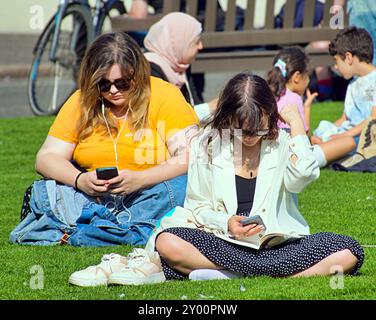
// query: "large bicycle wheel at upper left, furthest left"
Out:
[52,82]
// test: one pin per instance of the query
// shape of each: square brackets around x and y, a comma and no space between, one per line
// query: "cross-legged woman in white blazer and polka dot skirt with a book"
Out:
[256,170]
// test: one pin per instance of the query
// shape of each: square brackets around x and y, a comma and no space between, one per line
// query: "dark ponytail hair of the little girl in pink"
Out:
[296,60]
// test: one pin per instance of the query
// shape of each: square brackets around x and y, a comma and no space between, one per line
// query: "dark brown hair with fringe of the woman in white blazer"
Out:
[243,104]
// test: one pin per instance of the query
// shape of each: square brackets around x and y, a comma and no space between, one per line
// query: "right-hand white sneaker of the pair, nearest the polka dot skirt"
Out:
[141,269]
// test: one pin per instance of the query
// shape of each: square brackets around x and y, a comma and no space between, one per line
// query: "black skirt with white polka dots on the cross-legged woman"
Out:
[280,261]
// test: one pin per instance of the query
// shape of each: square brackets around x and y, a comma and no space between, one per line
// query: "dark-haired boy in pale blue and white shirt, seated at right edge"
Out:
[352,50]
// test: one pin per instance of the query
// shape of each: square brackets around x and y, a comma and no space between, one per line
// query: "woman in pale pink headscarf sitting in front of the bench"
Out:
[172,44]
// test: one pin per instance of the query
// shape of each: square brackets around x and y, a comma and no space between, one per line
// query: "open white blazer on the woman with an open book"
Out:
[211,197]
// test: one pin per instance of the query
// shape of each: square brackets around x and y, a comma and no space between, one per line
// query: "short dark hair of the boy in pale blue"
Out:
[355,40]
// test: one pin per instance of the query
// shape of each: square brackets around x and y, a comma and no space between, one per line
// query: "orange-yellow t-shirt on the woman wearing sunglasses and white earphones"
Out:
[168,113]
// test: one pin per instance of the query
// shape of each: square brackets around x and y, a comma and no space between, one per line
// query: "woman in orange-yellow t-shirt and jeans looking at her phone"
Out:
[120,117]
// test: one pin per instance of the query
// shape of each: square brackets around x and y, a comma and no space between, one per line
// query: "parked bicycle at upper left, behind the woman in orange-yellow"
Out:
[60,49]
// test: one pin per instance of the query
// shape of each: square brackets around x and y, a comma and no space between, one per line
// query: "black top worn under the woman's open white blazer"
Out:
[245,190]
